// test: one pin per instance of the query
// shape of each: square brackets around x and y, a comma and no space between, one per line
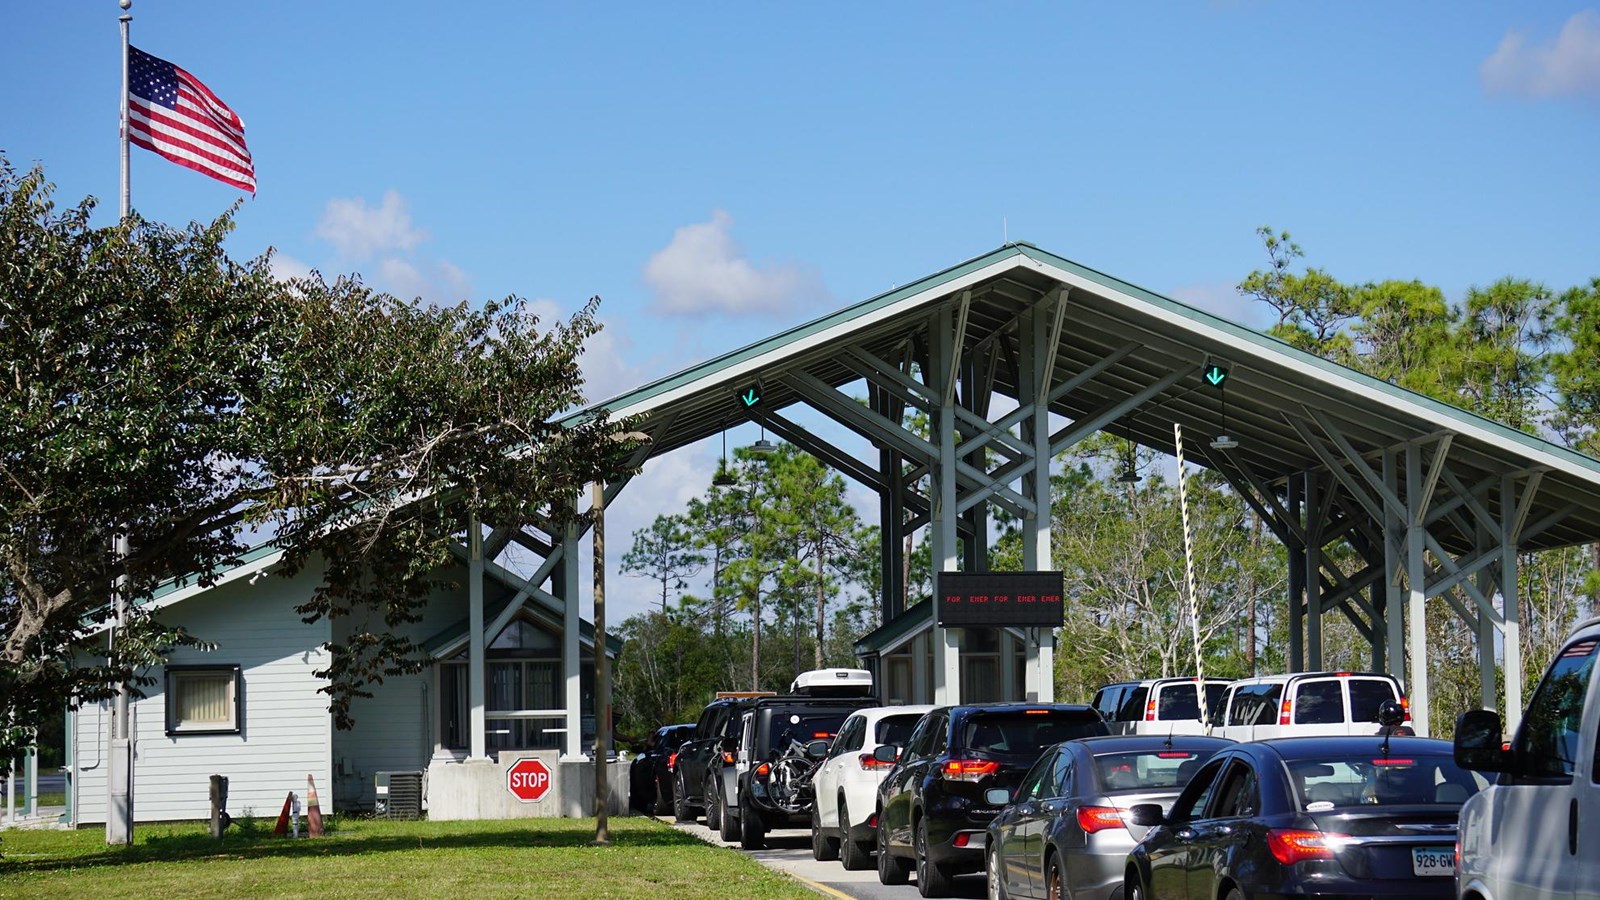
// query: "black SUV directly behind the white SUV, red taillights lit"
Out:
[932,808]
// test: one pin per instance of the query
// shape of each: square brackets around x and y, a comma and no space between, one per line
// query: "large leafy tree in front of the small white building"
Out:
[161,390]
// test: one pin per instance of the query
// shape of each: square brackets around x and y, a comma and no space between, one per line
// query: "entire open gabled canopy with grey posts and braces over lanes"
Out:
[1018,355]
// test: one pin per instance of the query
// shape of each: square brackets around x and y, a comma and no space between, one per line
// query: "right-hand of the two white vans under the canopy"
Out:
[1305,705]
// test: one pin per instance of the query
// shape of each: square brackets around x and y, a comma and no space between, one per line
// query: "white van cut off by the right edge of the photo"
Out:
[1537,832]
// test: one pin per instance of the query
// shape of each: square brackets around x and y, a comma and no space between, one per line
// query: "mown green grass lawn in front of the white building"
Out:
[526,858]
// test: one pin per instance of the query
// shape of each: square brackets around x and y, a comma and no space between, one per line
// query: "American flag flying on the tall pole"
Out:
[170,113]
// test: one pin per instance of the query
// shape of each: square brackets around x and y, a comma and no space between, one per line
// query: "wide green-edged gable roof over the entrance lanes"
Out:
[1146,335]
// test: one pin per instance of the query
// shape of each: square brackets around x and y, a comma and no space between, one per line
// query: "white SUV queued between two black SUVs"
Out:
[844,822]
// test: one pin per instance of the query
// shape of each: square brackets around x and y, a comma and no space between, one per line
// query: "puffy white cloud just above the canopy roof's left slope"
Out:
[703,270]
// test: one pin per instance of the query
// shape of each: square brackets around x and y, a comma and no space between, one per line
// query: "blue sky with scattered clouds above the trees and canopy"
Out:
[721,172]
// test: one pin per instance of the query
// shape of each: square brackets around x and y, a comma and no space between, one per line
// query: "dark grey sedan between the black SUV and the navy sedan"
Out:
[1065,832]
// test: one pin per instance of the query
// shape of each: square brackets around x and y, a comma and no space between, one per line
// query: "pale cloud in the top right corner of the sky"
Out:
[1566,66]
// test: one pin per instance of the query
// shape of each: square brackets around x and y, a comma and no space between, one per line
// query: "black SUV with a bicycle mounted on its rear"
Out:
[764,798]
